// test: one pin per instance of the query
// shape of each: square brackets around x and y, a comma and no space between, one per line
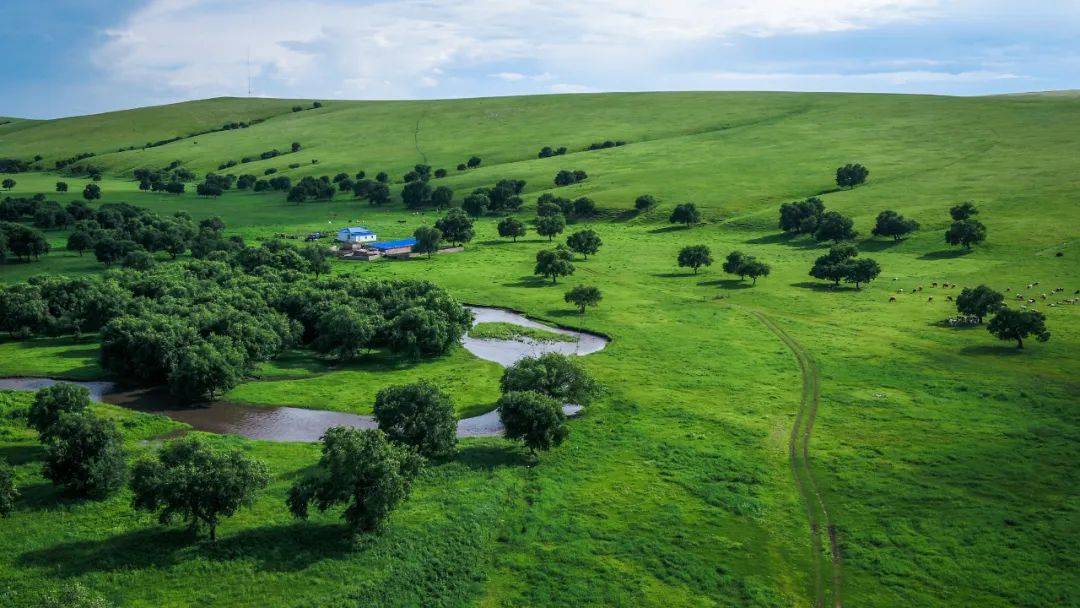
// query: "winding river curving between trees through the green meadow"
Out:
[302,425]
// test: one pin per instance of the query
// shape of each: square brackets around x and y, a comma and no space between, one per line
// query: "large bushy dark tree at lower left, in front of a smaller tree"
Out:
[86,456]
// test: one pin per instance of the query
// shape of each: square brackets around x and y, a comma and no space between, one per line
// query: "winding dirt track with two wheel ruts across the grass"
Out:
[827,568]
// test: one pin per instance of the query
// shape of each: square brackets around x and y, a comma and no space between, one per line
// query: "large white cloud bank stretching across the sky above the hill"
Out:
[382,49]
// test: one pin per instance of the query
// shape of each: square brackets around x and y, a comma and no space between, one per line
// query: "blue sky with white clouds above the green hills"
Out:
[66,58]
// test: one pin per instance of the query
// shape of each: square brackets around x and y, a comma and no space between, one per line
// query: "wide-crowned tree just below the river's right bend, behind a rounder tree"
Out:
[558,376]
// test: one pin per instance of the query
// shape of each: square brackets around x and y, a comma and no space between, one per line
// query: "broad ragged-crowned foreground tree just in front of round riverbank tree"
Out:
[362,470]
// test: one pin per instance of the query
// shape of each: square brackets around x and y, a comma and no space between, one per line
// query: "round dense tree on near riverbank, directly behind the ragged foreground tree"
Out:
[418,415]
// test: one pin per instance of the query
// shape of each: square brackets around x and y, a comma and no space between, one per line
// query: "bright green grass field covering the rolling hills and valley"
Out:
[948,462]
